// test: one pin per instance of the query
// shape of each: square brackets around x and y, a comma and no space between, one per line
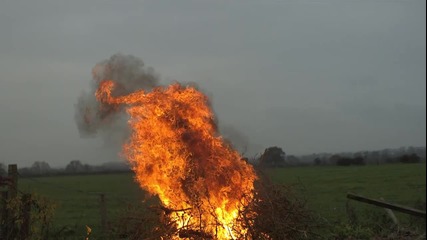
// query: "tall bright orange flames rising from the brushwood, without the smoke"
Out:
[178,155]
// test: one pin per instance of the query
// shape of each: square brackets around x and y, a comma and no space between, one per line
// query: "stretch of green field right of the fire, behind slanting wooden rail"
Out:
[325,188]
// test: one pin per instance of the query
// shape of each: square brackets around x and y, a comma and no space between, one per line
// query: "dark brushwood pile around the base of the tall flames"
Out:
[273,213]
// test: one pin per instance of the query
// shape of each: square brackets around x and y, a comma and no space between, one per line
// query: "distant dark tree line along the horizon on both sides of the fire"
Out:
[271,157]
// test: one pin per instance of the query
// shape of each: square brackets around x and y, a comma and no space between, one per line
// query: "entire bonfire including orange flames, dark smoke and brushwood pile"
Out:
[205,187]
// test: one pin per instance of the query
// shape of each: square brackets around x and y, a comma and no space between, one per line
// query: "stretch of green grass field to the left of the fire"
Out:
[83,200]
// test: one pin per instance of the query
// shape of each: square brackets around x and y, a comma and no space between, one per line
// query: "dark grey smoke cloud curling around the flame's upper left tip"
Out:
[130,74]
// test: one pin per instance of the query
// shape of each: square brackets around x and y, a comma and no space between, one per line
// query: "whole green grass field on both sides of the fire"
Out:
[324,188]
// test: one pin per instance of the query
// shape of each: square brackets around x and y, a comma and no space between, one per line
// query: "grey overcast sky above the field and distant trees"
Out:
[306,75]
